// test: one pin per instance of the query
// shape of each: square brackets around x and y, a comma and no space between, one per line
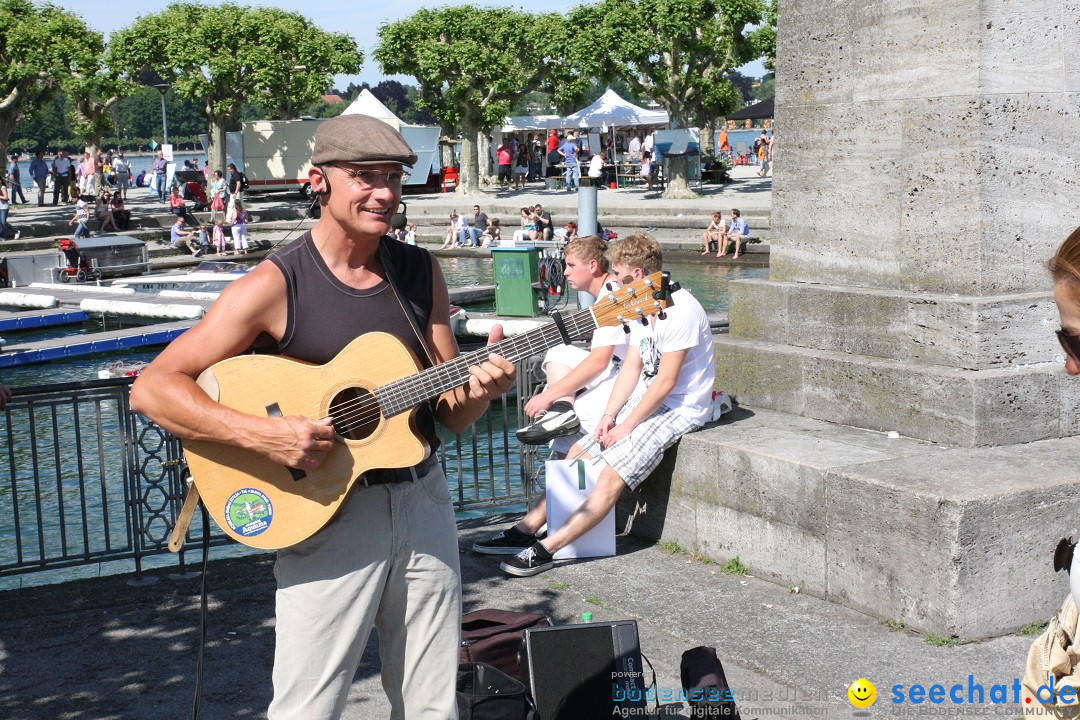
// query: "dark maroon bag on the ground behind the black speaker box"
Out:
[496,637]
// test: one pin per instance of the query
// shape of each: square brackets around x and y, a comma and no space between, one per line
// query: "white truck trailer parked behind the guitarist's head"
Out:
[276,155]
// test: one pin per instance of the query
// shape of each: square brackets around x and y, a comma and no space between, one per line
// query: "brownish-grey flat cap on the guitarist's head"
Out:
[360,139]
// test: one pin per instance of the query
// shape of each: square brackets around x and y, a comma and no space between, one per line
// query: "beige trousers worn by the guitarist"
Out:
[389,561]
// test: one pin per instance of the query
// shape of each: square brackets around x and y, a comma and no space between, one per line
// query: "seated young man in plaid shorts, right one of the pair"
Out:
[673,360]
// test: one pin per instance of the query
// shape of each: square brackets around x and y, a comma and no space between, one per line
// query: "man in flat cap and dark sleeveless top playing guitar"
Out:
[390,559]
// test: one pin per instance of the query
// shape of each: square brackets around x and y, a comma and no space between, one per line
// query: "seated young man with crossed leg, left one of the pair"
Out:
[579,385]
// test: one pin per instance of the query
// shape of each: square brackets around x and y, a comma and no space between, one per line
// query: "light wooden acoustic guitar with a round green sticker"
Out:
[371,390]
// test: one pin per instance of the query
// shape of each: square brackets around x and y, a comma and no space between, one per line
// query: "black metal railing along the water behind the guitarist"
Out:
[90,482]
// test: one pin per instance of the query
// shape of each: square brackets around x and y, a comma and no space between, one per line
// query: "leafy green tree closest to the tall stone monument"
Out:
[674,51]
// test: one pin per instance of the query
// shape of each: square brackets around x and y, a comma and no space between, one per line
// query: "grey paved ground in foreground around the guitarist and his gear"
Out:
[106,649]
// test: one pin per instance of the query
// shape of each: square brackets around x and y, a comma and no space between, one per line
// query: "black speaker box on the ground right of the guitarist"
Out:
[585,672]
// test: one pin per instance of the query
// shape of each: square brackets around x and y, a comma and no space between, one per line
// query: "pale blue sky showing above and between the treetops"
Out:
[361,19]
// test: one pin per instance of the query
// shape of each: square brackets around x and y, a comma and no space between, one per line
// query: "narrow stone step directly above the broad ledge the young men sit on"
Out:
[943,405]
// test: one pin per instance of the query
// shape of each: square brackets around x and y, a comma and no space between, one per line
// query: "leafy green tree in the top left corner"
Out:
[33,64]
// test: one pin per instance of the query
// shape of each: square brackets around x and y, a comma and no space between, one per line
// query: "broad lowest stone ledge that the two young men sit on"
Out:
[955,542]
